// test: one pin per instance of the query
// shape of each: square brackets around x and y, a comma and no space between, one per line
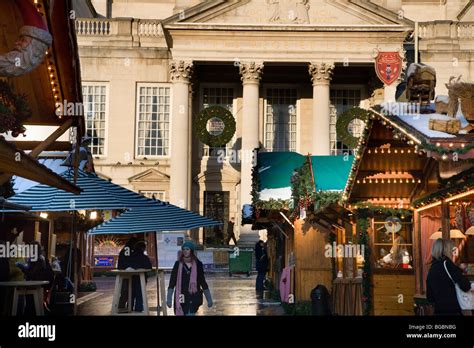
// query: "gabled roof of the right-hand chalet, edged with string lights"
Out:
[396,154]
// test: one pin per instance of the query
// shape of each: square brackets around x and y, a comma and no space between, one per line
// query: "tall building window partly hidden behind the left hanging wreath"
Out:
[220,96]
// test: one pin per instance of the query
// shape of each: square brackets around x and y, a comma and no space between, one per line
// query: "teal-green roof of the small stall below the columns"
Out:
[277,168]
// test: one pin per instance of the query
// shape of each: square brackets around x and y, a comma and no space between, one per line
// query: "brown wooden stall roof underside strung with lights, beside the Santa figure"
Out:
[62,61]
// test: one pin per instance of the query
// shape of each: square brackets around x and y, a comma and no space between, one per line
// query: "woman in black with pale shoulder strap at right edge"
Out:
[440,289]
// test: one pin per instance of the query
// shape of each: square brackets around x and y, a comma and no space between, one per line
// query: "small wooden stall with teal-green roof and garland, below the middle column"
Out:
[292,190]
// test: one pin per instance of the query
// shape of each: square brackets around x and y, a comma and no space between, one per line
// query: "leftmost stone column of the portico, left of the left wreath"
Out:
[180,72]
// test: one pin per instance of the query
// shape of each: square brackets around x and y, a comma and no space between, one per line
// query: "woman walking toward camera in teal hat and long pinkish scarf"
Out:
[188,279]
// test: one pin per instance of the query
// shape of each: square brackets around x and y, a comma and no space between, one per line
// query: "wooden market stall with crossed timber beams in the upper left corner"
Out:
[55,80]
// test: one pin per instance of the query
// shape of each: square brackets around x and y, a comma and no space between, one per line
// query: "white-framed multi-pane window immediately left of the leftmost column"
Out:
[154,110]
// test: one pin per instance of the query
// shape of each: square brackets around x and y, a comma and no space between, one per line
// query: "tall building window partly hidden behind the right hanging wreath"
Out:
[344,99]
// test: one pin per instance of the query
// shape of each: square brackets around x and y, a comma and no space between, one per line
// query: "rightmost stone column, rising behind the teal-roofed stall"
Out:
[321,76]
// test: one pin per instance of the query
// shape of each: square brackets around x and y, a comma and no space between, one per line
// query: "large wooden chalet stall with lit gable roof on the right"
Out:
[414,180]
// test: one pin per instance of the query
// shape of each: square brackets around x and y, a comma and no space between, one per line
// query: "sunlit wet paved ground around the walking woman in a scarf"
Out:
[231,295]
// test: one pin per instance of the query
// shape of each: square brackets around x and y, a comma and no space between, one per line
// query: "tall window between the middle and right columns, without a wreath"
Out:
[280,119]
